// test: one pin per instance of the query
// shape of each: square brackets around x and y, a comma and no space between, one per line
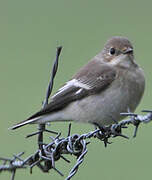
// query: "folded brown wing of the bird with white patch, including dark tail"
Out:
[91,79]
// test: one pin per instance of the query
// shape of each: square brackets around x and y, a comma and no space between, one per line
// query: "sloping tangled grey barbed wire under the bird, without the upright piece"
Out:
[73,145]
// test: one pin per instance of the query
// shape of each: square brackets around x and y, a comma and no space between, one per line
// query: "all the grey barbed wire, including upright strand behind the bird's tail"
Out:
[48,153]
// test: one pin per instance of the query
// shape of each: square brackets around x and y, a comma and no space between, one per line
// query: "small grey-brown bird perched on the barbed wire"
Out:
[111,83]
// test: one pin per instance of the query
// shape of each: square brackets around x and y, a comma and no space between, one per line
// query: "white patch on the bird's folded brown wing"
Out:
[73,82]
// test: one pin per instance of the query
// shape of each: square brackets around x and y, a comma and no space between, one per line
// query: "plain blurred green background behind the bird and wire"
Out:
[30,31]
